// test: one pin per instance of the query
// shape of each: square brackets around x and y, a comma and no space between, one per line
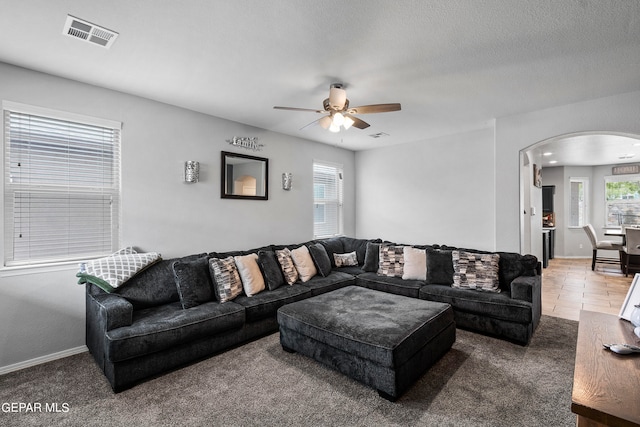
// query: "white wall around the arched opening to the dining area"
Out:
[618,113]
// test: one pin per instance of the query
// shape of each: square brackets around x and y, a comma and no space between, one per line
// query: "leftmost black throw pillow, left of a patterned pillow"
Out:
[193,282]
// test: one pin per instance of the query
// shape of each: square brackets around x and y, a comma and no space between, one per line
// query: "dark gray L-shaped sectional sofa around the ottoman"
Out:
[142,329]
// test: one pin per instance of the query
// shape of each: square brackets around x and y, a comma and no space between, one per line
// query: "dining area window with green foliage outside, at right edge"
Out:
[622,200]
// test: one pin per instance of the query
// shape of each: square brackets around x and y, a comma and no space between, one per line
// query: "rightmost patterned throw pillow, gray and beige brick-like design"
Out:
[476,271]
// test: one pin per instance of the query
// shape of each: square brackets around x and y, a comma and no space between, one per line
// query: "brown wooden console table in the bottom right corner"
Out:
[606,386]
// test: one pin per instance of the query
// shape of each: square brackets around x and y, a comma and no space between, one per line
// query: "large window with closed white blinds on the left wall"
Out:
[61,186]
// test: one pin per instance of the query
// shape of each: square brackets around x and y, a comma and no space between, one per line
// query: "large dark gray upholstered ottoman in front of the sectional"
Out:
[383,340]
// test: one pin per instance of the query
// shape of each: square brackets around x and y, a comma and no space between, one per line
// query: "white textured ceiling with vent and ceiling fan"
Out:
[455,65]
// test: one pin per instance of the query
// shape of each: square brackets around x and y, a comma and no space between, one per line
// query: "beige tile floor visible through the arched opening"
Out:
[569,285]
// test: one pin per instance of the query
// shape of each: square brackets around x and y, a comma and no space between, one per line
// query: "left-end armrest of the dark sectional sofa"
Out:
[110,310]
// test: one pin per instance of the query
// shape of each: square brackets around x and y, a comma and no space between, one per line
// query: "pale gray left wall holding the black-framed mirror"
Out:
[42,311]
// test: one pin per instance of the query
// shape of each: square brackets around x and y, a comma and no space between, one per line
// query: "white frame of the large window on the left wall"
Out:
[58,261]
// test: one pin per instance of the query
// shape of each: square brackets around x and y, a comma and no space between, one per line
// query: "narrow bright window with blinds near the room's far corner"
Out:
[327,199]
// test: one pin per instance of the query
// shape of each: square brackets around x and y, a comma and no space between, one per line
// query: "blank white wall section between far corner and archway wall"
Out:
[438,191]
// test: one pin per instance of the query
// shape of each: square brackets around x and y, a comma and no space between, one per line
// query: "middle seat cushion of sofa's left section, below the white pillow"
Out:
[267,303]
